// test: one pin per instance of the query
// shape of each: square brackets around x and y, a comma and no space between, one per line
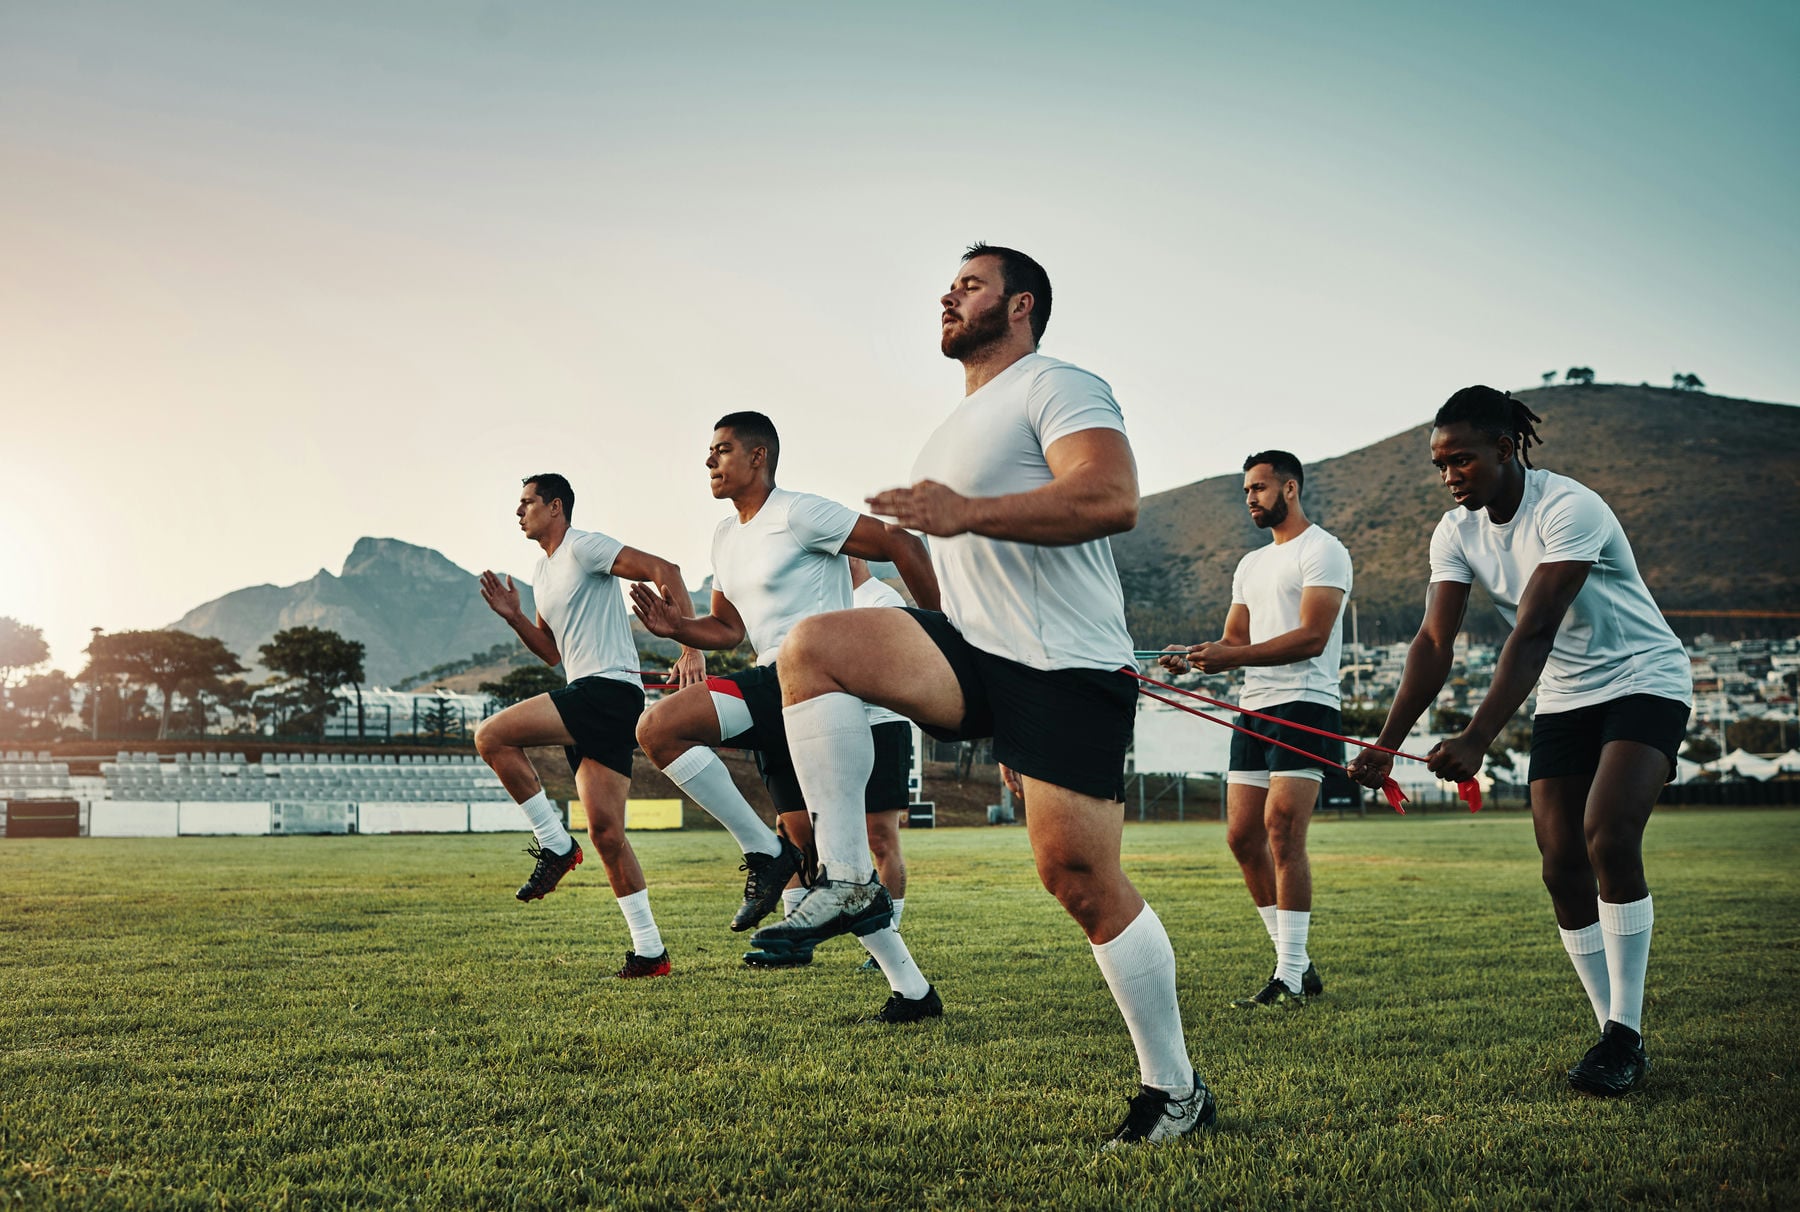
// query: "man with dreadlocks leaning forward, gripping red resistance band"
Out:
[1614,696]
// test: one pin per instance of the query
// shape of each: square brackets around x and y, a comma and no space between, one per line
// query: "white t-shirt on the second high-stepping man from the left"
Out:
[784,566]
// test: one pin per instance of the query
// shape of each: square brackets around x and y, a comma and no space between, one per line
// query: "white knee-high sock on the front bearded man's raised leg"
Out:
[834,755]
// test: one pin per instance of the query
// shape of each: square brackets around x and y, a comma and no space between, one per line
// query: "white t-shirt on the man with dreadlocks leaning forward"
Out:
[1614,640]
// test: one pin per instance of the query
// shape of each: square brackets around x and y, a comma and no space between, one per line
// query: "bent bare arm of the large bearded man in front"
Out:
[1093,494]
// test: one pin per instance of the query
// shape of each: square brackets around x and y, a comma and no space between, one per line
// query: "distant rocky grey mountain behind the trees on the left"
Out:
[411,608]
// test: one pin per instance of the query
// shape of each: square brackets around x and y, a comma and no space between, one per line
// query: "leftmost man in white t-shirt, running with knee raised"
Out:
[582,624]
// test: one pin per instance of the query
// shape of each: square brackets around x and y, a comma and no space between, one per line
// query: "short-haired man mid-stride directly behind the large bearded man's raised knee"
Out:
[780,557]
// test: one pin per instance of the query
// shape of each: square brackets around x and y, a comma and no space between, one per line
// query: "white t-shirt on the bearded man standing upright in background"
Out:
[1270,583]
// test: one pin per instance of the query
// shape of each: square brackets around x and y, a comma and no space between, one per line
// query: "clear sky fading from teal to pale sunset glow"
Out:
[278,276]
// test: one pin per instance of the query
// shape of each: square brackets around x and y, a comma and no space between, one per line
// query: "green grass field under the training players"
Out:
[375,1022]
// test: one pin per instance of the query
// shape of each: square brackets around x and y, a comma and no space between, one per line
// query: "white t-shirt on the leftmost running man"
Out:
[580,601]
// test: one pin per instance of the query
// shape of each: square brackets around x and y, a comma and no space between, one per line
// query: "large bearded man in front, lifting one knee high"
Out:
[1020,491]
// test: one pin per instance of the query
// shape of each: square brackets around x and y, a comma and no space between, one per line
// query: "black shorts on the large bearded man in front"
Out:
[1068,728]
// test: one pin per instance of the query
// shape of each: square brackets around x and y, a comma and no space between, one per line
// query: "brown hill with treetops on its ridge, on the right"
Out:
[1705,489]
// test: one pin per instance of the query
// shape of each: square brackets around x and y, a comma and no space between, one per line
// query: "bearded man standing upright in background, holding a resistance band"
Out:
[1286,633]
